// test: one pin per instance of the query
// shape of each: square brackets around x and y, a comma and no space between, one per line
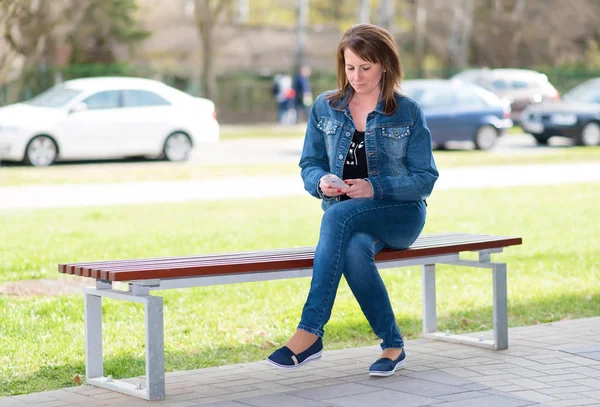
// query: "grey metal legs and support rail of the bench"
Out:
[139,291]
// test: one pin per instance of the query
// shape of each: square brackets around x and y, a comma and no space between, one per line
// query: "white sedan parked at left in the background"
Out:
[107,117]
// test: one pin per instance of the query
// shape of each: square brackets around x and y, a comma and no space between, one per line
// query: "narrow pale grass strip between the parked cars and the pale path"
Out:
[161,171]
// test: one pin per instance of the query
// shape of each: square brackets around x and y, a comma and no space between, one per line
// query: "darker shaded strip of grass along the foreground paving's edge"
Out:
[354,333]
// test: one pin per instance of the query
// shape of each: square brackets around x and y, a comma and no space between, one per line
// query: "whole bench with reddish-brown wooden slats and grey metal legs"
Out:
[145,275]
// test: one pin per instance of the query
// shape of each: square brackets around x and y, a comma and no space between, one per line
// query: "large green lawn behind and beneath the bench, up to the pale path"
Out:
[554,275]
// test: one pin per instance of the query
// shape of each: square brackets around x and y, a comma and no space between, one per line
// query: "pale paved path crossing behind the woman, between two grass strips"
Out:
[55,196]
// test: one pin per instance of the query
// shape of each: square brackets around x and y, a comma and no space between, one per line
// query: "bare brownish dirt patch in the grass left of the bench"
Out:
[30,288]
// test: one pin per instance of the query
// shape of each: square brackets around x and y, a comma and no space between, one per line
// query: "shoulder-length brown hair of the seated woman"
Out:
[373,44]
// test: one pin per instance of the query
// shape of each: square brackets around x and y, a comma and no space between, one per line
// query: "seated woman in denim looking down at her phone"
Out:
[377,141]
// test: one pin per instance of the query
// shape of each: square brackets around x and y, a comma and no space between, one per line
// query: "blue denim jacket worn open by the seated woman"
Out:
[398,148]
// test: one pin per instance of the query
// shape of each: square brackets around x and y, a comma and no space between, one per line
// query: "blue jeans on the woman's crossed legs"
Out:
[352,233]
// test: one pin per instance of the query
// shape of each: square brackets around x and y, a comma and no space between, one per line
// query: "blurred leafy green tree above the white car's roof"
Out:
[105,24]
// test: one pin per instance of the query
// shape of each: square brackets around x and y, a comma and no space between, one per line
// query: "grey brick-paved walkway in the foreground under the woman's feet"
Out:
[551,365]
